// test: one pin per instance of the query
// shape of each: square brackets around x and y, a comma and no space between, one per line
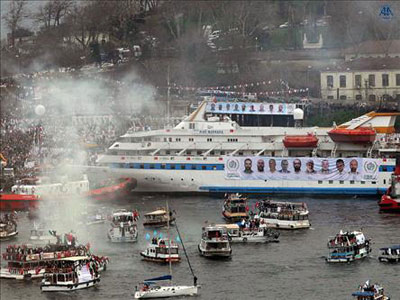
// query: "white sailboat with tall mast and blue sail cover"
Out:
[151,288]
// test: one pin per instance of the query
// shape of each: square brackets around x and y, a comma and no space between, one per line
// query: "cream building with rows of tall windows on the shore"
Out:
[365,79]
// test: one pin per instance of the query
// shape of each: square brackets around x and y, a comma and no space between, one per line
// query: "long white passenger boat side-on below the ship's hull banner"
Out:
[283,215]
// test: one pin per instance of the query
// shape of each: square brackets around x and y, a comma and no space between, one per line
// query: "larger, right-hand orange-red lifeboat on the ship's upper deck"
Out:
[361,135]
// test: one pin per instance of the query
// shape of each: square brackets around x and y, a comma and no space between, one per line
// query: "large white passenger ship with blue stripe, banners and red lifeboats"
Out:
[209,152]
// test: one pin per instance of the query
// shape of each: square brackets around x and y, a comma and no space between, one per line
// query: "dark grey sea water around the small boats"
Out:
[292,269]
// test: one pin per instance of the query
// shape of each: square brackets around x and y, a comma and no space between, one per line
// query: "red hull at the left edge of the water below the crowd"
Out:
[10,202]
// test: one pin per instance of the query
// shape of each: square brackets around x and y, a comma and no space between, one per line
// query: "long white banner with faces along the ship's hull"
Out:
[302,168]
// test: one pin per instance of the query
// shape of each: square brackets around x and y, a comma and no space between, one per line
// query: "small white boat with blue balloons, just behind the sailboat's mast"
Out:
[161,250]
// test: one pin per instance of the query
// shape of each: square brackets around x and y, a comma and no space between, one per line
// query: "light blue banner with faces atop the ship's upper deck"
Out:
[250,108]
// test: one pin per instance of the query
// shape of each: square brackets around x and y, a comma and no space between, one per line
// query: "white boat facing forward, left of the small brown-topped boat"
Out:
[123,226]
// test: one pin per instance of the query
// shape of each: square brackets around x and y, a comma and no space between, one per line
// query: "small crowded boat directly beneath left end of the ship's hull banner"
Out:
[235,208]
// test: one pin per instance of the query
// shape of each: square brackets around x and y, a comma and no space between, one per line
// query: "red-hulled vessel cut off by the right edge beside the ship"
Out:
[390,202]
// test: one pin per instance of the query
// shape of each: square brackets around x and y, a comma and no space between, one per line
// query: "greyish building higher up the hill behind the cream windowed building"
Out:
[373,49]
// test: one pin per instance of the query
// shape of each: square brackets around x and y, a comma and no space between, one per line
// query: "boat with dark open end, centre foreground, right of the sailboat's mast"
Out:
[215,242]
